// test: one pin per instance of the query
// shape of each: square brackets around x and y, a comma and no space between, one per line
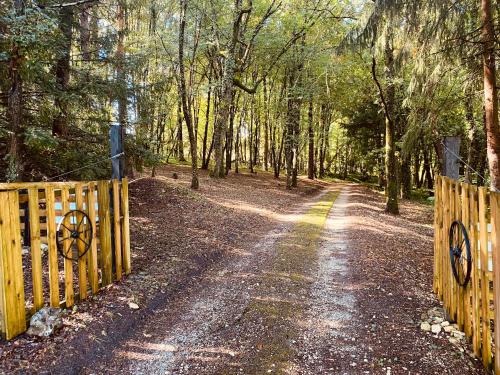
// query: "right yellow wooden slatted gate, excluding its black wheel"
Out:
[476,307]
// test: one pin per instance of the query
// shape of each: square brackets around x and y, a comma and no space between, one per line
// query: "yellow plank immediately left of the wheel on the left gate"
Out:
[53,267]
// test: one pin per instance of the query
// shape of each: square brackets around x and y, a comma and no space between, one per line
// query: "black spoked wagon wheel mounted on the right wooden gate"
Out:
[460,254]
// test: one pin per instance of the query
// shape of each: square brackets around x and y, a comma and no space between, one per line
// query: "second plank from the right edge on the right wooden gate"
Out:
[483,247]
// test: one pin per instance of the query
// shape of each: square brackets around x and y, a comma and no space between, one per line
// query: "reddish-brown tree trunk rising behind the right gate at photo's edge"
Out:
[490,94]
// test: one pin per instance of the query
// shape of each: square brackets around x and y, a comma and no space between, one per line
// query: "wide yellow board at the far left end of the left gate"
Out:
[11,268]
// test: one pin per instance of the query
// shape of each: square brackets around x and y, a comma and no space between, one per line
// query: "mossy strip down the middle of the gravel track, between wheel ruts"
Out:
[283,288]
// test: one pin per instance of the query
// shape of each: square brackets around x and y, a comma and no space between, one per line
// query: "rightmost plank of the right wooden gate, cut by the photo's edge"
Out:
[495,246]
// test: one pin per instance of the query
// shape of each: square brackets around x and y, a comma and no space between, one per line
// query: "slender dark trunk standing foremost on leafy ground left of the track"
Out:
[184,97]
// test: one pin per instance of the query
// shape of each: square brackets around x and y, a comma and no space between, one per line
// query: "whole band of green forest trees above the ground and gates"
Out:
[366,90]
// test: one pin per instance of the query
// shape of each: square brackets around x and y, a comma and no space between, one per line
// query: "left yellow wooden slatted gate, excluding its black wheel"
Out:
[32,271]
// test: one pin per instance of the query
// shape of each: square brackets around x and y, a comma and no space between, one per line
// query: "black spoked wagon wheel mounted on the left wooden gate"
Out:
[74,234]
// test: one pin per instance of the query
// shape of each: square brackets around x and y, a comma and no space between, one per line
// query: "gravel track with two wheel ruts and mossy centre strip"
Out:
[275,309]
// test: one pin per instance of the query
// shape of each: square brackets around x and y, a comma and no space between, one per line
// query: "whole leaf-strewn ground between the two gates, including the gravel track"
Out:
[260,280]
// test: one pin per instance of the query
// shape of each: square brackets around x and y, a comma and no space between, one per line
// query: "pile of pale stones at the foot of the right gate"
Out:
[437,321]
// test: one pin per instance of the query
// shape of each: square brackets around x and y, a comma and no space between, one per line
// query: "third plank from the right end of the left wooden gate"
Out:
[105,231]
